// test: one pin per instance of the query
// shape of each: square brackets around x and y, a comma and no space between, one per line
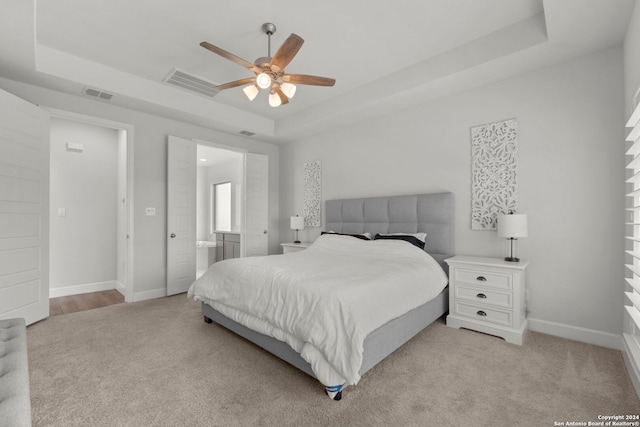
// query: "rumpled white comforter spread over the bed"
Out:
[325,300]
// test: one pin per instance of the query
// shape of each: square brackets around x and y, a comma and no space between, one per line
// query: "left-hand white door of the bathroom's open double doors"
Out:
[181,215]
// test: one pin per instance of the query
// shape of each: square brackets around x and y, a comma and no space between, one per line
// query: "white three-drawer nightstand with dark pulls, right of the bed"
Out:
[488,295]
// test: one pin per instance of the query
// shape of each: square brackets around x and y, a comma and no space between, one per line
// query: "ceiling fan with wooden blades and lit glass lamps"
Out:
[269,71]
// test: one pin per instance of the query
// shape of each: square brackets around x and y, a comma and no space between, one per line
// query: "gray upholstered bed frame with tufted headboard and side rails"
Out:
[429,213]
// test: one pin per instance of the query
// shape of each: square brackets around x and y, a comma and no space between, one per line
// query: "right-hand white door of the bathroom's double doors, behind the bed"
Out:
[256,238]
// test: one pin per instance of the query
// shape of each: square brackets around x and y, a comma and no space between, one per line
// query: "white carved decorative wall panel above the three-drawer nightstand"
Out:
[494,172]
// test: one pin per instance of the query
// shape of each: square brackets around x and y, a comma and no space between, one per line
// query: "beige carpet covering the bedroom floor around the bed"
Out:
[156,363]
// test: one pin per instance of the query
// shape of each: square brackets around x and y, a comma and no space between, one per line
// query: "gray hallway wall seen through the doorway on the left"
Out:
[83,243]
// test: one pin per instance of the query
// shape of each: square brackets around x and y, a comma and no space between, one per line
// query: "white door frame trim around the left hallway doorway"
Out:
[97,121]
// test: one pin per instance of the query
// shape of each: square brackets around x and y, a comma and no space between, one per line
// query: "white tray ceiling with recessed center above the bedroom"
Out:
[385,56]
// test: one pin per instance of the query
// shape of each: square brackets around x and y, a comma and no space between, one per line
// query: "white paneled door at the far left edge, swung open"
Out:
[24,209]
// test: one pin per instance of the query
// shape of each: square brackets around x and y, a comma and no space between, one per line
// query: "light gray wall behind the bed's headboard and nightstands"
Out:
[570,181]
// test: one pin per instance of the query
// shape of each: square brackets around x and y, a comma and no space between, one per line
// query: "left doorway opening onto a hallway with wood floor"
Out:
[90,209]
